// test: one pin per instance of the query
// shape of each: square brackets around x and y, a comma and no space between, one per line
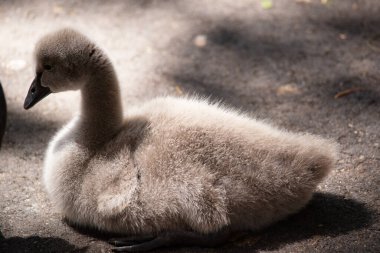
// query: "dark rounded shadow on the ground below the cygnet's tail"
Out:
[326,215]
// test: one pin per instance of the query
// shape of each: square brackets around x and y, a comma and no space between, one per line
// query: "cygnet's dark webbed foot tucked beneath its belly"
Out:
[169,239]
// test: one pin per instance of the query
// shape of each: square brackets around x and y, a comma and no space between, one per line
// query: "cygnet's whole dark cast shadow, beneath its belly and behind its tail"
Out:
[327,215]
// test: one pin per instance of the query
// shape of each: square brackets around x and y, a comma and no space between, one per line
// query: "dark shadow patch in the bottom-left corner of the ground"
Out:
[38,244]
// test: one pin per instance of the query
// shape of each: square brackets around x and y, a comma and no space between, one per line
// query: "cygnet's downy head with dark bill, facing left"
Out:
[63,62]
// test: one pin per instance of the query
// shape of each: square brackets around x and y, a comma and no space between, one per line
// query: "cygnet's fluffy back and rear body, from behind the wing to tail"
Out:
[222,168]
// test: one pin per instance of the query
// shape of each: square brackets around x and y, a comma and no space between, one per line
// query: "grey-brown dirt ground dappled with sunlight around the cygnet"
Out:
[306,65]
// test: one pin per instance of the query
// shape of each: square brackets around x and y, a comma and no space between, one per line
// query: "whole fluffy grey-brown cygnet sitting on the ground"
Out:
[172,169]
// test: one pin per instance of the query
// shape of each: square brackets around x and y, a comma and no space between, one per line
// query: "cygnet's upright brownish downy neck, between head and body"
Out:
[101,113]
